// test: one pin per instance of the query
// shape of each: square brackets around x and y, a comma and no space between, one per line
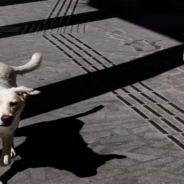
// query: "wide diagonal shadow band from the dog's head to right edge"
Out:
[80,88]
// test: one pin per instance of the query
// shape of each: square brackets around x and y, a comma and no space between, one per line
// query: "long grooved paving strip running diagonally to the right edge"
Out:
[110,75]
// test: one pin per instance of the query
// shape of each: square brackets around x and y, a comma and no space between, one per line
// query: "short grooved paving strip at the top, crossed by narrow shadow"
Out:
[57,20]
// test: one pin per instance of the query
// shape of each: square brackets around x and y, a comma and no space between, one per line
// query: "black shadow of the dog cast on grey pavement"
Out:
[57,144]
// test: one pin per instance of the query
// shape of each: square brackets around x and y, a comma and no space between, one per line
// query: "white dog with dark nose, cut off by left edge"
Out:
[12,99]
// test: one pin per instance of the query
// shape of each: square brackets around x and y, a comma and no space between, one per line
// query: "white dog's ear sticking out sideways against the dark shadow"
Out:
[23,92]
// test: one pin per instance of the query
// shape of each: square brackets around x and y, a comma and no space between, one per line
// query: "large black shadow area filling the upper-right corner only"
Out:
[164,18]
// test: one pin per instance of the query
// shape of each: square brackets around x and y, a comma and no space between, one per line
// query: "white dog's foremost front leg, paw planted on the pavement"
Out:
[7,141]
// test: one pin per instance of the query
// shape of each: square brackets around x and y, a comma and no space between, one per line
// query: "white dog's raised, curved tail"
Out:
[30,66]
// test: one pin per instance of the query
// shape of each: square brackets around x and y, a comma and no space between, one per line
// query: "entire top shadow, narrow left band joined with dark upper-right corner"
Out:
[168,24]
